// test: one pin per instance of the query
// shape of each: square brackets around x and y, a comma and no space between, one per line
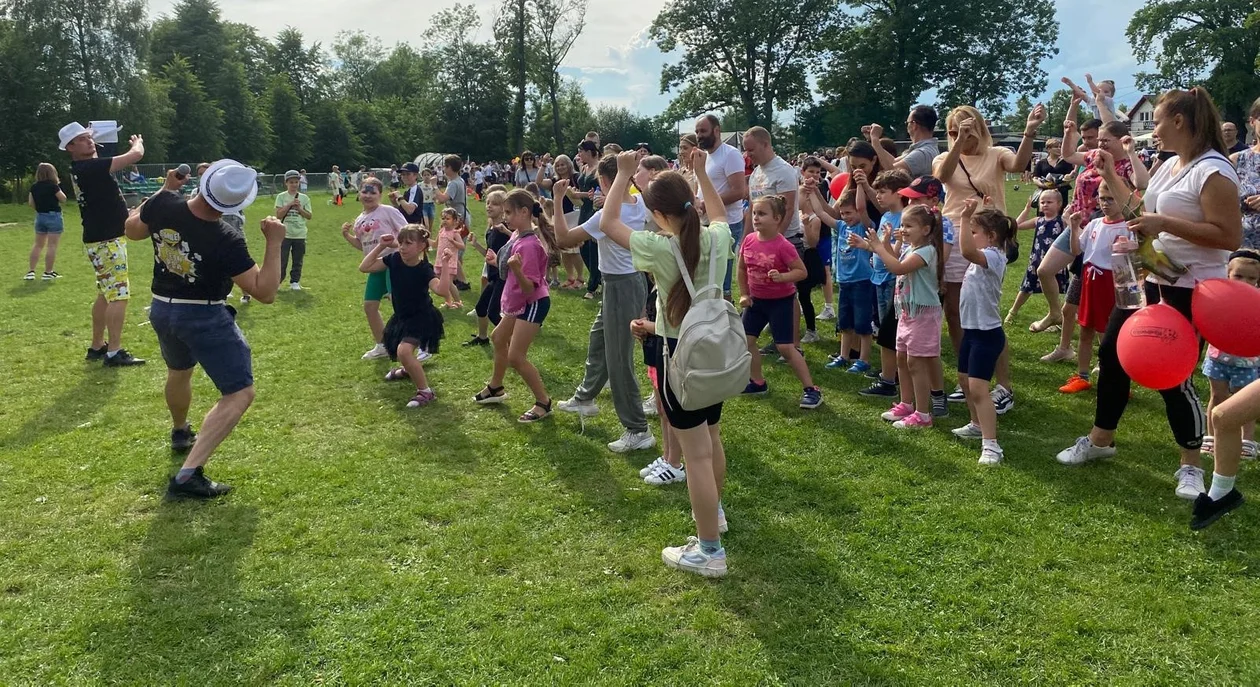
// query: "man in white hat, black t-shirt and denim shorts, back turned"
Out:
[198,258]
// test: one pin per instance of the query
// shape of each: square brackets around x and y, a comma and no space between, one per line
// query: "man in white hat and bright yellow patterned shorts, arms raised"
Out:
[104,214]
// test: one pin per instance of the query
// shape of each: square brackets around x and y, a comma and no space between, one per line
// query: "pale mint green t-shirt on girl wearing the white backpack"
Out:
[652,254]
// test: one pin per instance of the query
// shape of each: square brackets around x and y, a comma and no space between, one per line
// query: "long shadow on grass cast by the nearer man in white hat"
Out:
[188,620]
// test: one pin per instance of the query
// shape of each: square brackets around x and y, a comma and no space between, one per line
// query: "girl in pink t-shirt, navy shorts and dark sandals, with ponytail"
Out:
[525,304]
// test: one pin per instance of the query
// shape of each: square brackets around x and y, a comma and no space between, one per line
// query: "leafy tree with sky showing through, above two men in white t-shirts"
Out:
[749,55]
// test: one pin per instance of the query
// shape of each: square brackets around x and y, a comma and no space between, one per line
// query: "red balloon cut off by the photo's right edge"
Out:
[1228,315]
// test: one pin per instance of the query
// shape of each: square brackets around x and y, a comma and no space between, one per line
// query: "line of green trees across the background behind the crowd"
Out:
[201,88]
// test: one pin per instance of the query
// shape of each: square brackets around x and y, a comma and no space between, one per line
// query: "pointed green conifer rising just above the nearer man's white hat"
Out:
[197,125]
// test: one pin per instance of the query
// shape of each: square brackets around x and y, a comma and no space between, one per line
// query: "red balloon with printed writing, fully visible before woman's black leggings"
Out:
[1159,347]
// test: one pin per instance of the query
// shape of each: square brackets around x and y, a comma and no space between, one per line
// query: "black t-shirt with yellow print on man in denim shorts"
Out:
[195,259]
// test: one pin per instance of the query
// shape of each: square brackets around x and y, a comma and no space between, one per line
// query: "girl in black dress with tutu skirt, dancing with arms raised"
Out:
[416,325]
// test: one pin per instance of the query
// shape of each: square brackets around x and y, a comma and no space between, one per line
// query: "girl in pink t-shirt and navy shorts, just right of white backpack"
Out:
[768,270]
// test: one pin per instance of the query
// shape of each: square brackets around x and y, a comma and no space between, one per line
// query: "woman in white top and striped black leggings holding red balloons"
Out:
[1193,209]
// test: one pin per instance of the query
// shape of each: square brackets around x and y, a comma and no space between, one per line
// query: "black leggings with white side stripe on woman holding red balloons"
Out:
[1181,404]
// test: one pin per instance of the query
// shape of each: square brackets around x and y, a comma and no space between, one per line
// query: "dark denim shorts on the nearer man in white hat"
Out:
[206,336]
